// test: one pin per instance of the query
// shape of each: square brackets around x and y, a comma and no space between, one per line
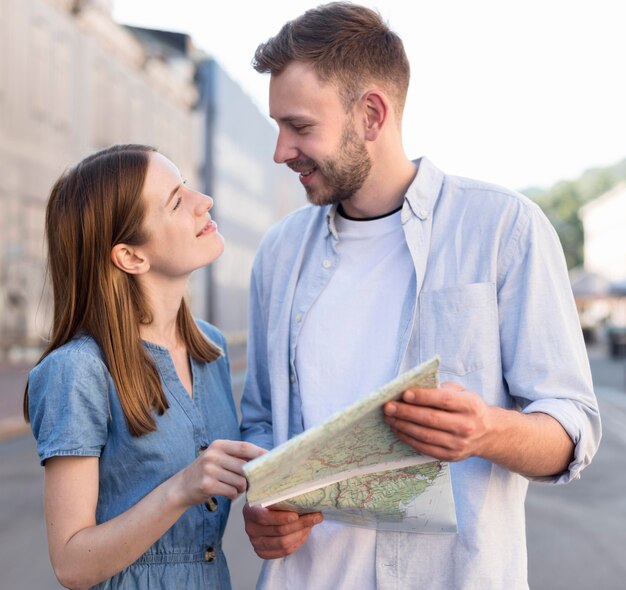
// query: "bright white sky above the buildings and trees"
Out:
[520,93]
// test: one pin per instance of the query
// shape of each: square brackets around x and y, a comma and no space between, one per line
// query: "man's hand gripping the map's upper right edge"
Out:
[449,423]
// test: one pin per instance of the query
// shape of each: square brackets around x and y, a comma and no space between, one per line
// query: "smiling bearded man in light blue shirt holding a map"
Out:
[394,262]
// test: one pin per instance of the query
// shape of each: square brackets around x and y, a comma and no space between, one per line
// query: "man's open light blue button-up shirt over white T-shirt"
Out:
[492,297]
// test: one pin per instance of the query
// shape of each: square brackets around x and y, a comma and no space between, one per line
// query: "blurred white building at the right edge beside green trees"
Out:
[604,220]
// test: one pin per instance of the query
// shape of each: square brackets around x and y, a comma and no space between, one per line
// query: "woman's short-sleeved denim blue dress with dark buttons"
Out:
[75,411]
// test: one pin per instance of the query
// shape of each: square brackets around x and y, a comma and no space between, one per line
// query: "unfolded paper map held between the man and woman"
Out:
[354,469]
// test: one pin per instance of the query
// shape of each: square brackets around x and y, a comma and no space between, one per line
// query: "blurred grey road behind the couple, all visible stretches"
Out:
[576,533]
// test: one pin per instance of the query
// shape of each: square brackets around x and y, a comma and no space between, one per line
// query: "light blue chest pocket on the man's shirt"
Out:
[460,324]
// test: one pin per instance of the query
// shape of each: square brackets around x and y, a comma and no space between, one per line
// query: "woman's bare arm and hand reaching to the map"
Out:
[84,554]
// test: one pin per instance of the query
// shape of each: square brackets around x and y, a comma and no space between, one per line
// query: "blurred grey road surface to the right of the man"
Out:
[577,533]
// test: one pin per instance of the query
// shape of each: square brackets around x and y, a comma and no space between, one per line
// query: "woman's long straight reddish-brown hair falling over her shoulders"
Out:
[93,207]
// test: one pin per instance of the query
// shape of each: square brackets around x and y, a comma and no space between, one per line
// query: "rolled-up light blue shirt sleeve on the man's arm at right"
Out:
[544,359]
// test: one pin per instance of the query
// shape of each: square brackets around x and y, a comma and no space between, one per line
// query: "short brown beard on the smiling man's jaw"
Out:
[343,174]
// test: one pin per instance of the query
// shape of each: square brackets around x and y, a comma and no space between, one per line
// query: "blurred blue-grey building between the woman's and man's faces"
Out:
[251,192]
